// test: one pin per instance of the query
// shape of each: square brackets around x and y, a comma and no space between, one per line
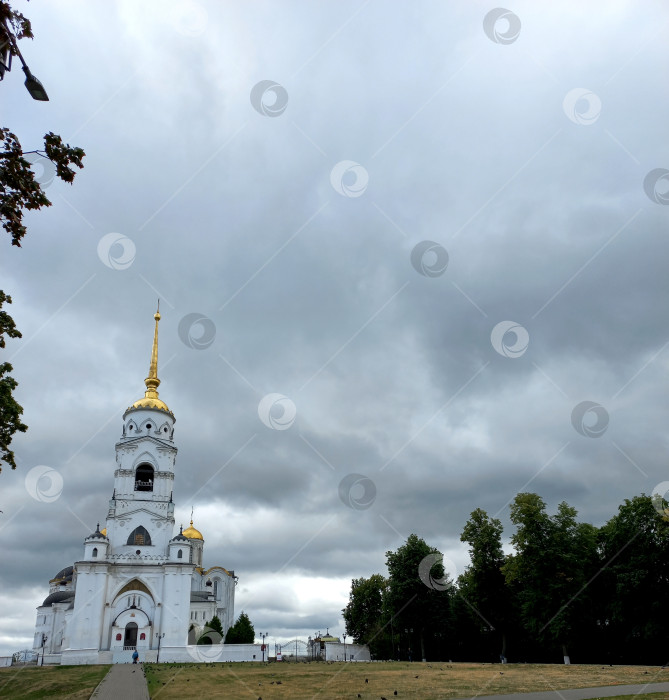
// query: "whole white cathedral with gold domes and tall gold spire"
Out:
[137,586]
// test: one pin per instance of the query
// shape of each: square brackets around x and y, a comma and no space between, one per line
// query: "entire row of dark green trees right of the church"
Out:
[569,589]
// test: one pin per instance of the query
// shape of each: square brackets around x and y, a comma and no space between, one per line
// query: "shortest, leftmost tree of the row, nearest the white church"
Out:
[364,613]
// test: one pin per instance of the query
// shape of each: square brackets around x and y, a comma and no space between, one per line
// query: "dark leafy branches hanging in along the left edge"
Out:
[19,192]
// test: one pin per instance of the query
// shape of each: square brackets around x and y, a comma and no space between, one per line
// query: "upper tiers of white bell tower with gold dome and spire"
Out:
[141,512]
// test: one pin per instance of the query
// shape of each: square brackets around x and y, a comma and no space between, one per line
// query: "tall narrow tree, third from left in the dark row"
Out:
[483,585]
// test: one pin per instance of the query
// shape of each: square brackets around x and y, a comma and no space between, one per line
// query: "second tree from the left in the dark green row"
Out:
[418,604]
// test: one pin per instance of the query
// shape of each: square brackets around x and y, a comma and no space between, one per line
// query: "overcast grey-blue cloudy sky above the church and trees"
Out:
[397,247]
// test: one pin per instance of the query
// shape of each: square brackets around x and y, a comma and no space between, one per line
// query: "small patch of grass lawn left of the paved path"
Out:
[36,682]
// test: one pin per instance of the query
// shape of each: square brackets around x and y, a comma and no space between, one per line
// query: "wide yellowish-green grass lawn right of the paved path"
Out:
[418,681]
